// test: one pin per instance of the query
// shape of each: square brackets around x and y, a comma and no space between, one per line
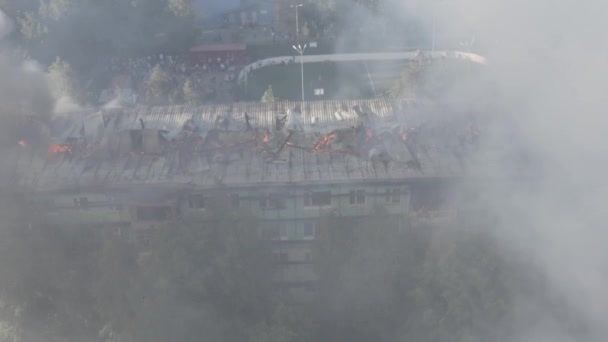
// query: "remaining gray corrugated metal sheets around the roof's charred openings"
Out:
[240,159]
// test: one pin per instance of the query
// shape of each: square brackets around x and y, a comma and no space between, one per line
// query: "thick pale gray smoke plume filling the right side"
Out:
[549,58]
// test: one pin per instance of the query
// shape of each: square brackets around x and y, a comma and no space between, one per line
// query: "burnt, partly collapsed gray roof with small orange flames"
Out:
[246,144]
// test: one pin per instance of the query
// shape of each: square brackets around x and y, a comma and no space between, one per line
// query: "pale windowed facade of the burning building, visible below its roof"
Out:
[291,225]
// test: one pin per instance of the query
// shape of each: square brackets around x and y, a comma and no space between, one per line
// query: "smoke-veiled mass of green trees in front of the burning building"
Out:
[213,280]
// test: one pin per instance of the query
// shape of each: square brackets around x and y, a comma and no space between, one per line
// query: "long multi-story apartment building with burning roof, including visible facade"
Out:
[131,170]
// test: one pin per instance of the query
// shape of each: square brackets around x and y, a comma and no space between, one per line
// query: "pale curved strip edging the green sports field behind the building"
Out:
[355,57]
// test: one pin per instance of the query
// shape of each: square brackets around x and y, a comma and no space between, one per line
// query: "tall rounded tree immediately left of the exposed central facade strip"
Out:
[215,265]
